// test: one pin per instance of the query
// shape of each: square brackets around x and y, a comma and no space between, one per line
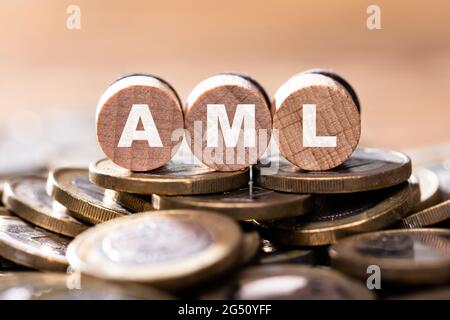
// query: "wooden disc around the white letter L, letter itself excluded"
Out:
[337,115]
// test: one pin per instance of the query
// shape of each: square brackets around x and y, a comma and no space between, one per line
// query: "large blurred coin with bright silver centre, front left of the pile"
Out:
[171,249]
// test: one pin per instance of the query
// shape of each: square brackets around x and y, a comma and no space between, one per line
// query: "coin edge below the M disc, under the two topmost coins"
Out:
[242,204]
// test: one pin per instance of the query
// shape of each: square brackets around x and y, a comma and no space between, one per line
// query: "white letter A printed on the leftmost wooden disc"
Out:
[130,132]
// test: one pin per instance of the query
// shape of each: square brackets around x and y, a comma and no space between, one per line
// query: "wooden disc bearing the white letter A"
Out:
[132,97]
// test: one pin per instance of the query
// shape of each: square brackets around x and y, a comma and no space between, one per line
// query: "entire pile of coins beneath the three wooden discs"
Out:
[272,231]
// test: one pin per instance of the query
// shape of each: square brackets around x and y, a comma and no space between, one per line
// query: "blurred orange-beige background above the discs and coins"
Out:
[401,73]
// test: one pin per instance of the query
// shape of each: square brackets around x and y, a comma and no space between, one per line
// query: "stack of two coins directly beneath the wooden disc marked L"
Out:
[372,190]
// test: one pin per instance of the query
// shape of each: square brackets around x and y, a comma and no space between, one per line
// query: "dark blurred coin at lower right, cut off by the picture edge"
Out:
[418,256]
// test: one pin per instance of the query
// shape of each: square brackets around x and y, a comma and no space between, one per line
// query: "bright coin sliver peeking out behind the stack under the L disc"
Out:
[429,188]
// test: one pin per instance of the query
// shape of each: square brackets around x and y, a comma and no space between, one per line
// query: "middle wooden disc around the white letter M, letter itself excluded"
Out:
[230,90]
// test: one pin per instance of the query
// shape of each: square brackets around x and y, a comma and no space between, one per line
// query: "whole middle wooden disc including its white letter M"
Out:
[229,121]
